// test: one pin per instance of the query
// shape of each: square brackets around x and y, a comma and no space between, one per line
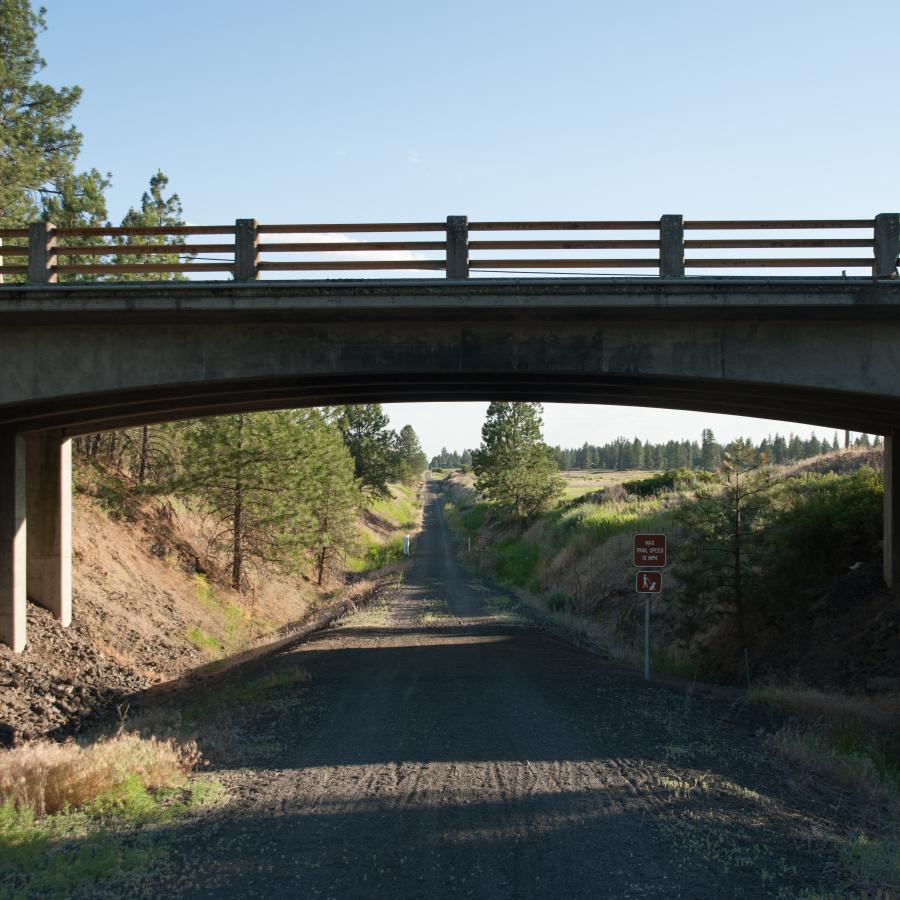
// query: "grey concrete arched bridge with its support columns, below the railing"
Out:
[77,358]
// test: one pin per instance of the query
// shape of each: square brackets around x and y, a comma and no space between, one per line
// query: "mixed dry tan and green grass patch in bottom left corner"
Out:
[73,817]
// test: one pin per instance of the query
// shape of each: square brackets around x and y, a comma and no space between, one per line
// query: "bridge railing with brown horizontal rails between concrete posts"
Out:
[42,252]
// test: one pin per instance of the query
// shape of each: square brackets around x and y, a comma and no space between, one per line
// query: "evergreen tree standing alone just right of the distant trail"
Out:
[514,468]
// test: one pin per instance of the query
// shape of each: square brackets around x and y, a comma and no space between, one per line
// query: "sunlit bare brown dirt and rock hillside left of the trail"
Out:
[148,606]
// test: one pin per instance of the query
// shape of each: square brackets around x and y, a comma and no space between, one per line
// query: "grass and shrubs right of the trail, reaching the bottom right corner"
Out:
[774,582]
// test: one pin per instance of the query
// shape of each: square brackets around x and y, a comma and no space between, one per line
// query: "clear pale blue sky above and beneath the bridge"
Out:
[292,111]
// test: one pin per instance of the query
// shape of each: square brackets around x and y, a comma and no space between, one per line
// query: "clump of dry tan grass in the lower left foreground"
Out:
[48,778]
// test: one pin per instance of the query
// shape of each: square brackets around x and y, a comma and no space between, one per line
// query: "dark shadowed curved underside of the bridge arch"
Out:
[85,413]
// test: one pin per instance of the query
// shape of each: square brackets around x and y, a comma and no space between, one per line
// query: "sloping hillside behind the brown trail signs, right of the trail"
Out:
[574,563]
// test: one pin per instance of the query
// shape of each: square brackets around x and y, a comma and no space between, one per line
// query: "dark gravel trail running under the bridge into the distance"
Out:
[458,752]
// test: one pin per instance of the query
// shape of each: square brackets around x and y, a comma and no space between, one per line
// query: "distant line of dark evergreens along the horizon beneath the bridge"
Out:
[622,454]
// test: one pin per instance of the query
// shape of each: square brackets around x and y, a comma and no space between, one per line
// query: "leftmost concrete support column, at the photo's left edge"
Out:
[12,539]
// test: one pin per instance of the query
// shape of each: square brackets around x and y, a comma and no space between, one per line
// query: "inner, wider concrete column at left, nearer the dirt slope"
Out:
[49,509]
